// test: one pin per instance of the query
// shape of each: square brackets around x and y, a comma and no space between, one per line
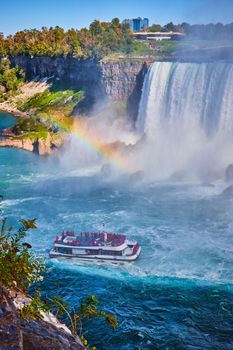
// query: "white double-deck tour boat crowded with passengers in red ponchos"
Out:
[97,246]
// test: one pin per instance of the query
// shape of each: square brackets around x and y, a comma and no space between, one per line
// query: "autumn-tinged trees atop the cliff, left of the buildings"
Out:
[98,40]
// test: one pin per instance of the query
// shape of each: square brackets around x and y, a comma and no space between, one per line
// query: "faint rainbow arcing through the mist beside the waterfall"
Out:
[94,142]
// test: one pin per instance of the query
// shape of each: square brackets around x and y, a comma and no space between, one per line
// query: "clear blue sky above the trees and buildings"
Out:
[25,14]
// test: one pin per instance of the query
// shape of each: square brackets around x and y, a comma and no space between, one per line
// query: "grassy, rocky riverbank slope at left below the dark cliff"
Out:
[35,129]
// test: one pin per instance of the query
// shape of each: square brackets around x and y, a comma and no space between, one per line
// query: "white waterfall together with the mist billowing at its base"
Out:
[183,131]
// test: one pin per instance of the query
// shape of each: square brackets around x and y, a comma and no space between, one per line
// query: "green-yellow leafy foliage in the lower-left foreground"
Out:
[19,268]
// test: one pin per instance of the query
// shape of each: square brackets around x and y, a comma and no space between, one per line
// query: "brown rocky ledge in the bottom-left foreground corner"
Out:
[18,334]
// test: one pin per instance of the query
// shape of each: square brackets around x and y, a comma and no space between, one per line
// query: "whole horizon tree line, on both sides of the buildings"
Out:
[100,39]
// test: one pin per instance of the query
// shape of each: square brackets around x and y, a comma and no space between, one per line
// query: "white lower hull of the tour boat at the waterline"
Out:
[130,258]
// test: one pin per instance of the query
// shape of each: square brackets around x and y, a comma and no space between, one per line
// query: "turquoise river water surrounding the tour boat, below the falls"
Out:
[177,295]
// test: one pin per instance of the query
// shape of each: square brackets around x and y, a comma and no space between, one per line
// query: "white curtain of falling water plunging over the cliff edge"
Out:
[186,114]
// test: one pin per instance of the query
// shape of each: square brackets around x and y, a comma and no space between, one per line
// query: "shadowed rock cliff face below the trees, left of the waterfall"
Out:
[121,80]
